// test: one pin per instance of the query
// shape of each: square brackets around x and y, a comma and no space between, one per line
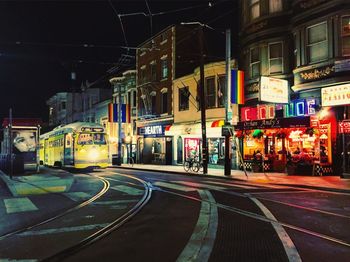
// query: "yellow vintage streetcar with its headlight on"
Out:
[76,145]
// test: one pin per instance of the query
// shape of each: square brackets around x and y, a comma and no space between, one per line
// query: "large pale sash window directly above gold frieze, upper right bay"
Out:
[317,48]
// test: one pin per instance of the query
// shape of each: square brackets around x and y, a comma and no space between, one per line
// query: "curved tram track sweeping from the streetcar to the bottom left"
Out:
[99,232]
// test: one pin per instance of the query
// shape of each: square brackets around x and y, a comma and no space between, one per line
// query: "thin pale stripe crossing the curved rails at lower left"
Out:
[62,230]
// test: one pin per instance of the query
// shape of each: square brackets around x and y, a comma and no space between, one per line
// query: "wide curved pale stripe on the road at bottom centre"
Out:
[201,243]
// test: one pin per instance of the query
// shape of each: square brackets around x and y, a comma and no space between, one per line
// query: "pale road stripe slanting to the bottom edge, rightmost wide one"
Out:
[287,242]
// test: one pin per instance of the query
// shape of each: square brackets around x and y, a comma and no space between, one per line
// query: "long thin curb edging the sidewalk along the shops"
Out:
[337,190]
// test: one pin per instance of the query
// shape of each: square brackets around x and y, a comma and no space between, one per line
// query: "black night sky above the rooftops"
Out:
[41,42]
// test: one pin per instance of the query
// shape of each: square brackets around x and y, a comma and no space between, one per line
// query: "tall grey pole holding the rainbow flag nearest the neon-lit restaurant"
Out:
[228,110]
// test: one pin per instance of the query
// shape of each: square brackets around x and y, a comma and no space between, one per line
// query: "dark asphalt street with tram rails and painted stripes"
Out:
[185,218]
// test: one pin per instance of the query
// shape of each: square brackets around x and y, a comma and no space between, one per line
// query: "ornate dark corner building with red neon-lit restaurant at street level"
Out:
[306,43]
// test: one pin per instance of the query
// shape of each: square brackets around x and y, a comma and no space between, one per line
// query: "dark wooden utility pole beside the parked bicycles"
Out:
[203,104]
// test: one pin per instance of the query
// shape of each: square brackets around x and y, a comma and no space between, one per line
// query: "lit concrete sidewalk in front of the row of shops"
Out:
[333,183]
